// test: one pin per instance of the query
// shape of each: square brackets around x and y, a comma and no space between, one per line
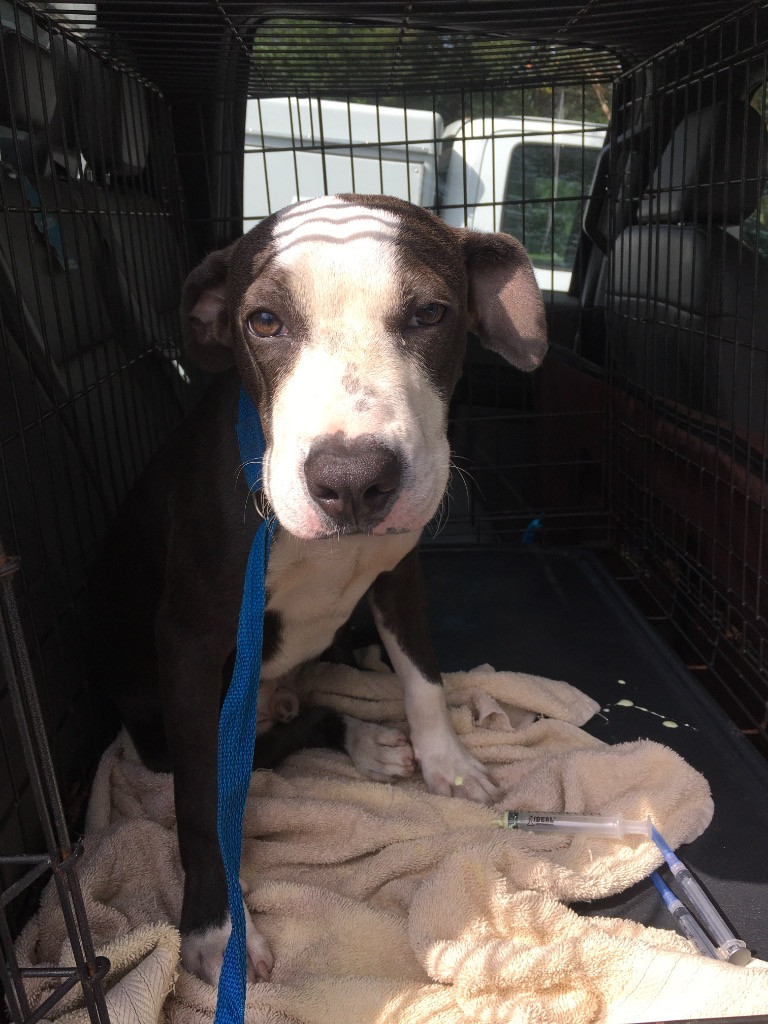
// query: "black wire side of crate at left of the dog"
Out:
[94,250]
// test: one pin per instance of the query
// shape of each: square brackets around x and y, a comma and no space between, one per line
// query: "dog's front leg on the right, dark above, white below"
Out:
[399,607]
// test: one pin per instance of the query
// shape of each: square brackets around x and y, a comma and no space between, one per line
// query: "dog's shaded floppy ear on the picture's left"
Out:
[206,326]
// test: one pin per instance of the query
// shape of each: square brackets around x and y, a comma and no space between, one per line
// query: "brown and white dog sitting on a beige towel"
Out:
[347,320]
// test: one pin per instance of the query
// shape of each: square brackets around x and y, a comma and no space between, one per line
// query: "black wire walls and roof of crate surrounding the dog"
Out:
[627,152]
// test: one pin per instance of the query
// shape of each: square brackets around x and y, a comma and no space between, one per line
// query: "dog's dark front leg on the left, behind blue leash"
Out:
[191,667]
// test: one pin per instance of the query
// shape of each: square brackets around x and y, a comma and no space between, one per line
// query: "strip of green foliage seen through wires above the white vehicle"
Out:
[417,68]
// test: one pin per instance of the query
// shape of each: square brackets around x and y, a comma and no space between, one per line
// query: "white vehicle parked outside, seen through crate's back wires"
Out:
[528,177]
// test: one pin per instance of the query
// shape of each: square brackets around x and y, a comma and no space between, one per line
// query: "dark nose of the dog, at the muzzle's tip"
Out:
[354,481]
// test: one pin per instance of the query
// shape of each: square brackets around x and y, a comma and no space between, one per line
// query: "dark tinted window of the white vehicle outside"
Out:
[544,200]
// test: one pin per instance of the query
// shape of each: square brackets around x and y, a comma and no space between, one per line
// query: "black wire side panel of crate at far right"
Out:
[689,329]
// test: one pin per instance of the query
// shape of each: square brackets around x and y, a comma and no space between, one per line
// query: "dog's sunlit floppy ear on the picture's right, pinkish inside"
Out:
[506,309]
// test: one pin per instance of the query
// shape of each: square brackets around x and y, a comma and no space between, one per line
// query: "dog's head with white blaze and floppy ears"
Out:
[348,318]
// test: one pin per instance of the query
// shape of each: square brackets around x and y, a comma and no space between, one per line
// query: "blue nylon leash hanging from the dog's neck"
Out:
[238,726]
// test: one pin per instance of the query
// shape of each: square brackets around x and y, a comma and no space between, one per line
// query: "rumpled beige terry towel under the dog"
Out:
[386,905]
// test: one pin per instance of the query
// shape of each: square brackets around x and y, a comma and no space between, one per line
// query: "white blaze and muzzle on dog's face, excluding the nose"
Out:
[356,374]
